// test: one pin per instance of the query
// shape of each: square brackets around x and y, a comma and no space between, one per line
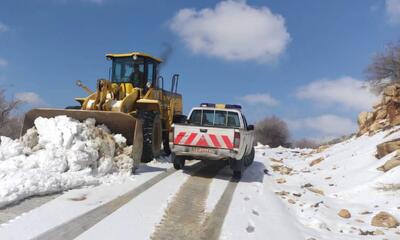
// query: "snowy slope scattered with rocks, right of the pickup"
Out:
[317,185]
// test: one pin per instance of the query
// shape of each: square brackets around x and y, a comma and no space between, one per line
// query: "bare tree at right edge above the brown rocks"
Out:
[385,67]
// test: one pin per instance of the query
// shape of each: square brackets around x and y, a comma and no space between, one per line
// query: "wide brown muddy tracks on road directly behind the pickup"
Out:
[185,216]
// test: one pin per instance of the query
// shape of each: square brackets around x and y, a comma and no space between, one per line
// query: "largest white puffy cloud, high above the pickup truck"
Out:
[233,30]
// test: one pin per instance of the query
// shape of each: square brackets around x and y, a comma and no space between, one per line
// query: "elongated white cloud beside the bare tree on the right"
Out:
[347,92]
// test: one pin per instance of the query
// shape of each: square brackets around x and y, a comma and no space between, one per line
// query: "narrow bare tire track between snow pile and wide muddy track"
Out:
[78,225]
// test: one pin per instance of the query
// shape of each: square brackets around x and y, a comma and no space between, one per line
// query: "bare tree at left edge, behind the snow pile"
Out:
[10,123]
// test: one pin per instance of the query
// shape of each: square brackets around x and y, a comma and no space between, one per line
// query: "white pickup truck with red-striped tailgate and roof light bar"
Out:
[214,132]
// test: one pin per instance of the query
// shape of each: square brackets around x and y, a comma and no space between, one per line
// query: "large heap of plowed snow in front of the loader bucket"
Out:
[58,154]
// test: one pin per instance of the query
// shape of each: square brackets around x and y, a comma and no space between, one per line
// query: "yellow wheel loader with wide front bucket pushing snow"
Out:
[133,103]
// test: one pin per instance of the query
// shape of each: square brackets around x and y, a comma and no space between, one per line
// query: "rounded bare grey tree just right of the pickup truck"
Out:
[272,131]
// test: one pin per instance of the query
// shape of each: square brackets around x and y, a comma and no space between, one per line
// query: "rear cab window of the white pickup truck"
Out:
[216,118]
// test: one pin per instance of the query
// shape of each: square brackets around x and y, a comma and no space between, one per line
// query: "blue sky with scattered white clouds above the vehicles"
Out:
[302,61]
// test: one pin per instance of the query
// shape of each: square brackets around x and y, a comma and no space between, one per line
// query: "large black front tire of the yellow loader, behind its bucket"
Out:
[152,135]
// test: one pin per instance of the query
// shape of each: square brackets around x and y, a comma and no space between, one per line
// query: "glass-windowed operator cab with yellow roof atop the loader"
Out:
[135,68]
